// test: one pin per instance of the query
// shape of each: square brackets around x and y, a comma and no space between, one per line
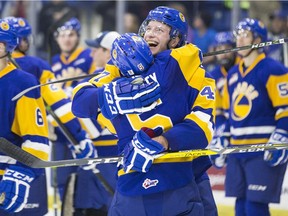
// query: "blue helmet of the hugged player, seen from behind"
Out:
[131,54]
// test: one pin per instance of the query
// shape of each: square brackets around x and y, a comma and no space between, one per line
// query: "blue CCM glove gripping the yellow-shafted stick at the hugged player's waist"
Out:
[138,154]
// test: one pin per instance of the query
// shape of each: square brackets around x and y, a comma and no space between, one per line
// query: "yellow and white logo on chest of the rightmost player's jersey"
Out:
[242,98]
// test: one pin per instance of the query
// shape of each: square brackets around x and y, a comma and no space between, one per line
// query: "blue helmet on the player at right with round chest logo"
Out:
[257,28]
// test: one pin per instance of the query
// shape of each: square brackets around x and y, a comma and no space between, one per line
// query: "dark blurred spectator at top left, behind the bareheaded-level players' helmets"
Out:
[50,13]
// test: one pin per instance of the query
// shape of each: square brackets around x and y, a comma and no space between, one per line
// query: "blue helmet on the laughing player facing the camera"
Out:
[171,17]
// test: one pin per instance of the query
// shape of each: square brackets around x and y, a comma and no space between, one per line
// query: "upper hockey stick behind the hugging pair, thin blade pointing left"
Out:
[253,46]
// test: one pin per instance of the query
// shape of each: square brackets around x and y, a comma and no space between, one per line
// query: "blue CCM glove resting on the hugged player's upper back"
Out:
[128,95]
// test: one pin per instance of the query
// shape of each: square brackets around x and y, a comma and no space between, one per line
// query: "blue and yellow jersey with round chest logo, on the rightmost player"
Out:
[257,101]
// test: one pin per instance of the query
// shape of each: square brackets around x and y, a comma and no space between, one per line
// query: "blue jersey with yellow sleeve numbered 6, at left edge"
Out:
[23,122]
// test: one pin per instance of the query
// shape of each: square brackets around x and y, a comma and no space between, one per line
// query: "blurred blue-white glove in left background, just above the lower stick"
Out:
[85,149]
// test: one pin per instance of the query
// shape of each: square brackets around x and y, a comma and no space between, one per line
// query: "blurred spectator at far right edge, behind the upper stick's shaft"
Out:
[277,30]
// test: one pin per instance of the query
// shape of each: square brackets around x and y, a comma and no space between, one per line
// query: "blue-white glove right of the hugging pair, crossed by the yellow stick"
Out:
[219,161]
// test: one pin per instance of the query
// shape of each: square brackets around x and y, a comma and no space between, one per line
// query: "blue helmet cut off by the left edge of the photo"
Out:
[8,35]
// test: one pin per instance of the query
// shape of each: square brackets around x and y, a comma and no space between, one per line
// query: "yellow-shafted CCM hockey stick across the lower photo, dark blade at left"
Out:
[30,160]
